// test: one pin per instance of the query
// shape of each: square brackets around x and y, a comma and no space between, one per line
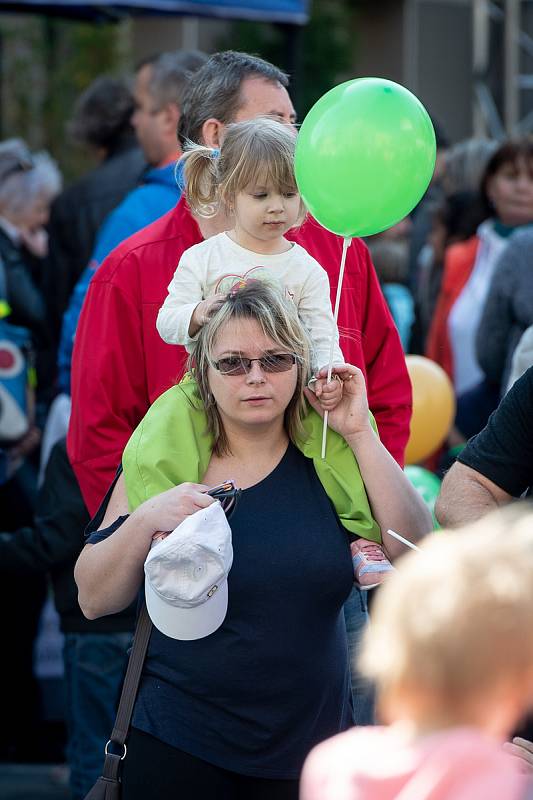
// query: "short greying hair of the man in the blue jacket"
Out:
[170,74]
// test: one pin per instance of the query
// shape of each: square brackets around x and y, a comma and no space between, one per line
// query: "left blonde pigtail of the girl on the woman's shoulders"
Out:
[201,179]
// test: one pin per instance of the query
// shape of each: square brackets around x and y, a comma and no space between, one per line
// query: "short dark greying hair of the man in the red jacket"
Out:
[215,90]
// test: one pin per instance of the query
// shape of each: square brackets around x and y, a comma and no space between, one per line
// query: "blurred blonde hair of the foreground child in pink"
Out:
[456,618]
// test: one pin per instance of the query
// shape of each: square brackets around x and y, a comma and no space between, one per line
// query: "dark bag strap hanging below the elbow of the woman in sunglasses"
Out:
[128,694]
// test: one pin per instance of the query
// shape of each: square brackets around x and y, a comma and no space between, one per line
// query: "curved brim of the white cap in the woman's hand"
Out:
[187,623]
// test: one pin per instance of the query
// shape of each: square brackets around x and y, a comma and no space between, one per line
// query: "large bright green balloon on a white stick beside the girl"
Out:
[365,156]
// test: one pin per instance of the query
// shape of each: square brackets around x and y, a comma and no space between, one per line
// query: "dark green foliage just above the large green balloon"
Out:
[324,49]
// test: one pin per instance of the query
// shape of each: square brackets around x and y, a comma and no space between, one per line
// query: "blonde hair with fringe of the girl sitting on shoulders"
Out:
[259,151]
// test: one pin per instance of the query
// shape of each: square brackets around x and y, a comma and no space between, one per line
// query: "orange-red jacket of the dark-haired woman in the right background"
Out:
[459,261]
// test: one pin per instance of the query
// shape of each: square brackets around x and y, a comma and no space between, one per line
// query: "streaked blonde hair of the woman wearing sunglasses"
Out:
[278,319]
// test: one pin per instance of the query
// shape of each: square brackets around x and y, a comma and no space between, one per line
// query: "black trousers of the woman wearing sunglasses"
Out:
[153,770]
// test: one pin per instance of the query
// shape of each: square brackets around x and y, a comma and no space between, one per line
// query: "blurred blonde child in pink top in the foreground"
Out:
[450,650]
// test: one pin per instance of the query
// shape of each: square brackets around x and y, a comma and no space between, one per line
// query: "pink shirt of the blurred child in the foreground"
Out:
[384,764]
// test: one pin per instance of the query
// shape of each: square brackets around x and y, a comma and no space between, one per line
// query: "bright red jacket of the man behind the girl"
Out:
[120,364]
